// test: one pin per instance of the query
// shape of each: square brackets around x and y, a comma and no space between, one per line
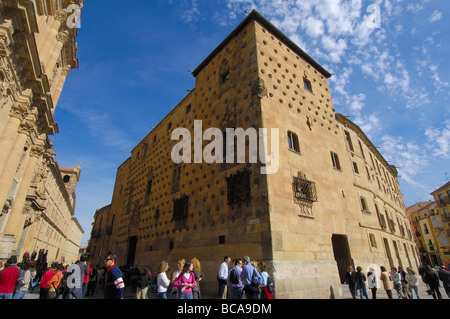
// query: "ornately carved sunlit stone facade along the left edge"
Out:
[37,52]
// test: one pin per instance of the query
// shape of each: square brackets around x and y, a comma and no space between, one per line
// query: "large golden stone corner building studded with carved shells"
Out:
[322,200]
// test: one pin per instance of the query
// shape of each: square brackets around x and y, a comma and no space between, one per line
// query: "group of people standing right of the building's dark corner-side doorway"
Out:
[404,283]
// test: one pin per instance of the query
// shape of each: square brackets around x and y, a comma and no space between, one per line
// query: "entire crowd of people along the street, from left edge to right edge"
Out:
[237,279]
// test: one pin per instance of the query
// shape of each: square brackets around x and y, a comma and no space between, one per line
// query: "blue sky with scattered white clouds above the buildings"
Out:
[391,77]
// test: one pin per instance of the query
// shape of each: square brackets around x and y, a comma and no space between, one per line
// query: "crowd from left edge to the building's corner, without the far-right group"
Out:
[79,280]
